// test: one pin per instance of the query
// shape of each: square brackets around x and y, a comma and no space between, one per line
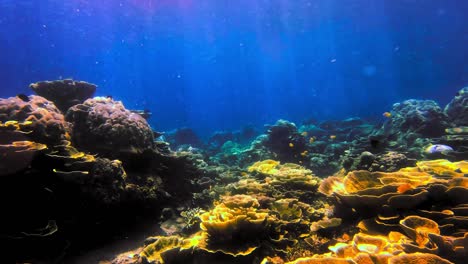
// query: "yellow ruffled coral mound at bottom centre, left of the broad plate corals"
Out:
[252,217]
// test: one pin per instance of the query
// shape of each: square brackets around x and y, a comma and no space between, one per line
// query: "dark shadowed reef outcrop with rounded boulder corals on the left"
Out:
[79,199]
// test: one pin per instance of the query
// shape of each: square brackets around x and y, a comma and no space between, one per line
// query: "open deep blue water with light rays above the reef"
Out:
[223,64]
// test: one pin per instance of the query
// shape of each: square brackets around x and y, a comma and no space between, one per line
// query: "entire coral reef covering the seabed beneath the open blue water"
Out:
[395,193]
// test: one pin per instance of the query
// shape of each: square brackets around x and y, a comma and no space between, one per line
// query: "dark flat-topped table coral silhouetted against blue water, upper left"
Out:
[64,93]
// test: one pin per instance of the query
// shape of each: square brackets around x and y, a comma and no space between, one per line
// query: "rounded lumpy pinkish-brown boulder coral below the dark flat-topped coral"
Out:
[102,125]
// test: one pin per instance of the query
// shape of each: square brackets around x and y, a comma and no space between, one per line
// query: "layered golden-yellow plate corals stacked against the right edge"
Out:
[417,201]
